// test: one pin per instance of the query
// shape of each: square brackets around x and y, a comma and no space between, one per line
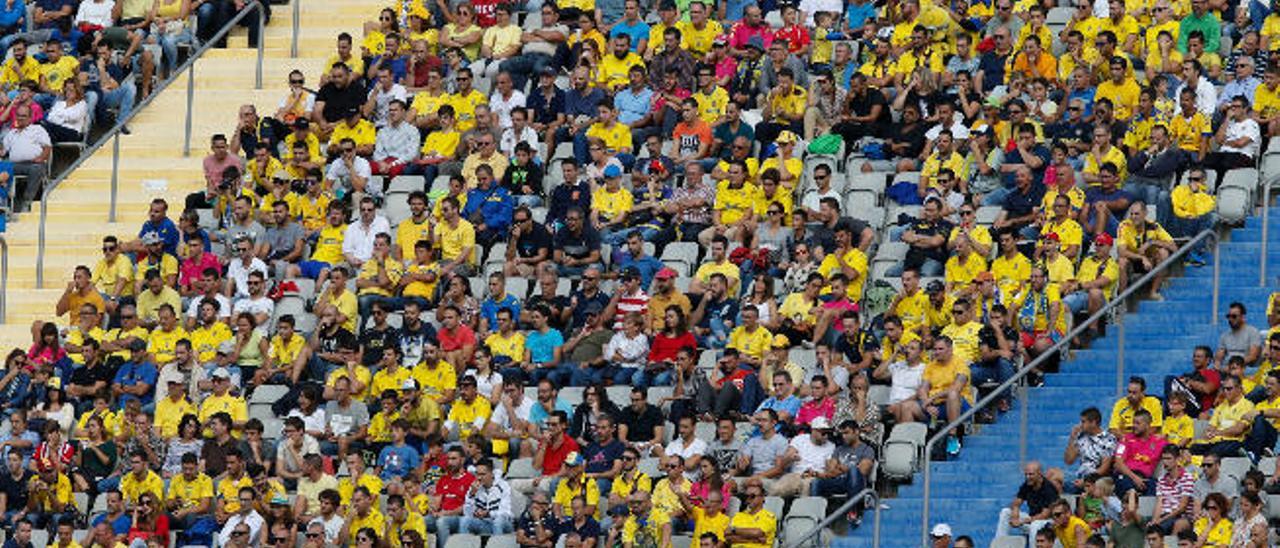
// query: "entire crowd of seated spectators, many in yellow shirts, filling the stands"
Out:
[623,272]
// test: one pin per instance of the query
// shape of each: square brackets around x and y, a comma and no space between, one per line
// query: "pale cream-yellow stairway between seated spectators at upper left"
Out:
[225,80]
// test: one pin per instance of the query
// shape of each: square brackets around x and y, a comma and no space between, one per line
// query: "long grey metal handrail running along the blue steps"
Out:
[1067,340]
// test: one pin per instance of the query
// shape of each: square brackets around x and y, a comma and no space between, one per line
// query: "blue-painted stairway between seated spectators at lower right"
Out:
[968,494]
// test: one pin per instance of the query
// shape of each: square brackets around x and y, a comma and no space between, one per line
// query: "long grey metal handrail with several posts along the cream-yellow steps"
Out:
[115,133]
